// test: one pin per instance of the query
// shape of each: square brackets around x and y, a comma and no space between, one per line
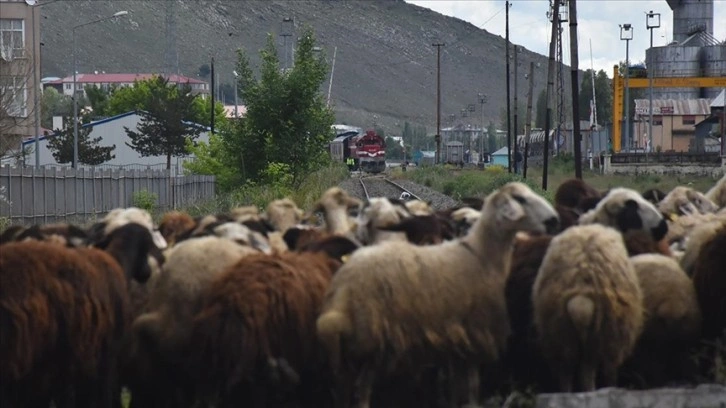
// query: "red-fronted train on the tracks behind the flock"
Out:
[365,152]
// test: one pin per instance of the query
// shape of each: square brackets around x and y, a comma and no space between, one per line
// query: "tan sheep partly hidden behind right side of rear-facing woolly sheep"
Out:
[672,323]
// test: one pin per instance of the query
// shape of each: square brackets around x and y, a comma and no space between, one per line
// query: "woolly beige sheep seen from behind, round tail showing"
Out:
[588,308]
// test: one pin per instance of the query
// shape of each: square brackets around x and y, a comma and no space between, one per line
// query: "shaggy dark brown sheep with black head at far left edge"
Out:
[62,314]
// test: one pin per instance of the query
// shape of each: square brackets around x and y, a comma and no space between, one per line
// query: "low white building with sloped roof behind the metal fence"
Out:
[112,132]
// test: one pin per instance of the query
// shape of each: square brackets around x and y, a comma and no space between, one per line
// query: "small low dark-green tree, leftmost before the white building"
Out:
[89,151]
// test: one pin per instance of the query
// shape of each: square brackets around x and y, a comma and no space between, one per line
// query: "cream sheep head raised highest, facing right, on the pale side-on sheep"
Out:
[515,207]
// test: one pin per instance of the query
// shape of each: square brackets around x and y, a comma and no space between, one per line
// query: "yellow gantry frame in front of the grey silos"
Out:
[619,90]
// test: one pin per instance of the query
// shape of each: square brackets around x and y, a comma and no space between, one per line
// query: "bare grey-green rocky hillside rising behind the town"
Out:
[385,68]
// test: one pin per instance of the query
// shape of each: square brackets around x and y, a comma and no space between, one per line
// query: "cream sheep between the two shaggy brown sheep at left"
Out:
[155,348]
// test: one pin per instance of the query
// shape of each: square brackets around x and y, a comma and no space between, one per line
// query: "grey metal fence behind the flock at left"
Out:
[30,195]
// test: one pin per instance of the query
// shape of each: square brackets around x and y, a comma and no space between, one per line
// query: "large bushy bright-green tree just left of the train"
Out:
[287,120]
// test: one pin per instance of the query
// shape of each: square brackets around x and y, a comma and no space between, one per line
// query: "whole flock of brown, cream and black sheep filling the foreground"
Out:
[384,302]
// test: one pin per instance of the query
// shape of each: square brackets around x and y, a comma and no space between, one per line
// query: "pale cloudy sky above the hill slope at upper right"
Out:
[598,22]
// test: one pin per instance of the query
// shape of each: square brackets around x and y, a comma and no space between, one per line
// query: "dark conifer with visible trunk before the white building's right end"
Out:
[165,125]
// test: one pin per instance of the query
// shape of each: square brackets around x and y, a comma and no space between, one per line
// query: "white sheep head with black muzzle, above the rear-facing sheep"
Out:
[626,209]
